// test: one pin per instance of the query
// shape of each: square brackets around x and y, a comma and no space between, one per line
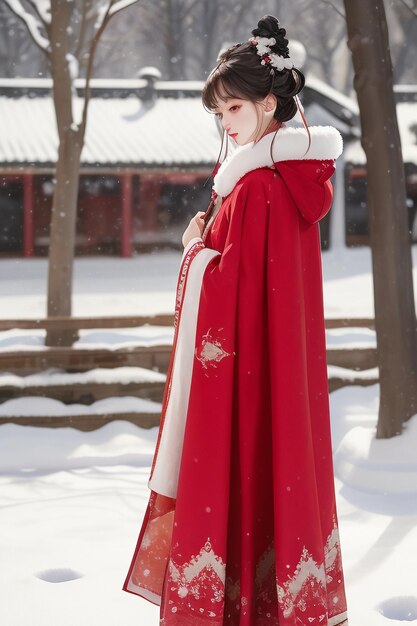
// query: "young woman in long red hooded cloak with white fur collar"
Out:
[241,527]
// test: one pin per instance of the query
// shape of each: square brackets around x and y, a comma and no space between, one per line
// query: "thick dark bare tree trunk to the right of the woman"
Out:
[395,317]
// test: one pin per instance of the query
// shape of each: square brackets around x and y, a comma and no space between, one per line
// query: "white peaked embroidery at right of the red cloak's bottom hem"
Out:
[307,588]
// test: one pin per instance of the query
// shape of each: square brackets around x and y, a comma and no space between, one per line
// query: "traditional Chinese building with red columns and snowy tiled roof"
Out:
[150,147]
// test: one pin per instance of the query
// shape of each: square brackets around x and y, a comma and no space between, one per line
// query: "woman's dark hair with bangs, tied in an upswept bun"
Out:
[239,73]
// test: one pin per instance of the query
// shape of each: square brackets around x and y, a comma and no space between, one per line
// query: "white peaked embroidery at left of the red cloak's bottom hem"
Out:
[202,577]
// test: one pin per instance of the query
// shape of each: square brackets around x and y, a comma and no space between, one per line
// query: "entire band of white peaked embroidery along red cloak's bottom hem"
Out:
[201,582]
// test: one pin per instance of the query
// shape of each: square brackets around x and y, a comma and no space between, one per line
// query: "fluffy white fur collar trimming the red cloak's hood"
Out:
[290,144]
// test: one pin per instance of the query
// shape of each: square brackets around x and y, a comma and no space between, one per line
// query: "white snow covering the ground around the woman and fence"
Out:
[72,502]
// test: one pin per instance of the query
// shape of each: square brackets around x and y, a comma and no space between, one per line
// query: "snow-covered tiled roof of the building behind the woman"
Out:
[126,128]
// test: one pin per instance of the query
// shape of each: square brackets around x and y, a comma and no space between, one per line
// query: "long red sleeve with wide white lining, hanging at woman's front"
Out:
[206,314]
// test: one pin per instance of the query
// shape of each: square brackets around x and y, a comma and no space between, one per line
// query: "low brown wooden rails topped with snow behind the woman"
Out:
[354,367]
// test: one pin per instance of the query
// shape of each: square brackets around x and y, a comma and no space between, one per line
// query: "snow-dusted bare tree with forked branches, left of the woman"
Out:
[51,25]
